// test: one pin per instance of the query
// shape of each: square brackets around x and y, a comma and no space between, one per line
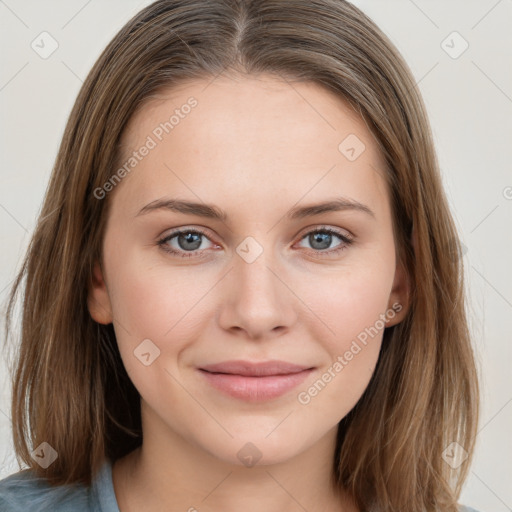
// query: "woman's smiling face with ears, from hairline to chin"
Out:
[252,273]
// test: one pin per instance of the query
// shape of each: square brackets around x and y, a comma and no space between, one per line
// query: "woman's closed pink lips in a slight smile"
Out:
[255,381]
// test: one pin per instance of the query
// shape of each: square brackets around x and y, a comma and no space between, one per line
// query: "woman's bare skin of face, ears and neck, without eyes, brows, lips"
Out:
[255,147]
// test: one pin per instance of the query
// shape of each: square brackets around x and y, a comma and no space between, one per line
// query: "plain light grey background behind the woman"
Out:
[469,100]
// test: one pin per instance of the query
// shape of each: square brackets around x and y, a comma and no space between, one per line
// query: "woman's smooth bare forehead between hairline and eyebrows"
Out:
[258,136]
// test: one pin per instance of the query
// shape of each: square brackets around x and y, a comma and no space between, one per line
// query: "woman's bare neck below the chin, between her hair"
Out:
[169,473]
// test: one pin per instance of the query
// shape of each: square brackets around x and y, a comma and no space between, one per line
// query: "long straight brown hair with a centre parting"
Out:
[70,387]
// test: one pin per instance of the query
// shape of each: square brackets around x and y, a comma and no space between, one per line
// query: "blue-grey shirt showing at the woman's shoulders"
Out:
[24,492]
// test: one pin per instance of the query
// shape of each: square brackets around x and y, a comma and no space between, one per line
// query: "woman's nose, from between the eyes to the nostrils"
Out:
[257,300]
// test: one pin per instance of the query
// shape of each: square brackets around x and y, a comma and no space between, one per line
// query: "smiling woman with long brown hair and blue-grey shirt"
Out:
[239,292]
